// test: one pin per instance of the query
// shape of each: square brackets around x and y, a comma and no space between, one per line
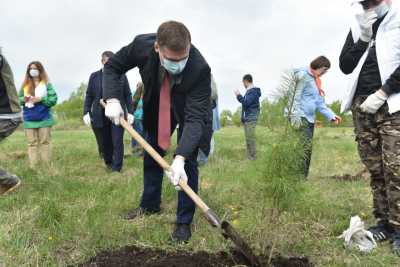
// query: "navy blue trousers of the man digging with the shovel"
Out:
[153,178]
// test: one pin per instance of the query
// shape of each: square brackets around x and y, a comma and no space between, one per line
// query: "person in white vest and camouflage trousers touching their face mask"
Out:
[371,58]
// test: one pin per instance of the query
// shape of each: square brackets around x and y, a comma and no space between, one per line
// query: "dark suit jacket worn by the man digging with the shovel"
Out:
[190,98]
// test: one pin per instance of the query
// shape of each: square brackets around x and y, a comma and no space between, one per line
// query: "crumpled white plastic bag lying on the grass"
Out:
[356,236]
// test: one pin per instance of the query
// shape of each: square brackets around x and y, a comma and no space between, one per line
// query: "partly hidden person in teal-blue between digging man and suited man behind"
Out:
[138,115]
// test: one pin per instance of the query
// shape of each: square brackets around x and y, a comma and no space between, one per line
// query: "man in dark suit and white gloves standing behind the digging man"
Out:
[109,137]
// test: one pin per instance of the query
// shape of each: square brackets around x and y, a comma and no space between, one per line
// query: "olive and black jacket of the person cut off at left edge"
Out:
[9,102]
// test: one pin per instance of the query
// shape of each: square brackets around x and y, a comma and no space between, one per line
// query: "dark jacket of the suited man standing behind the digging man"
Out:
[94,93]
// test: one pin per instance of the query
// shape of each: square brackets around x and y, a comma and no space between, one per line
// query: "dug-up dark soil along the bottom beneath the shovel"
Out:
[144,257]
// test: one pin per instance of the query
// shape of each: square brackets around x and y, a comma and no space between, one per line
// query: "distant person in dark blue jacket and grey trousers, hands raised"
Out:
[250,112]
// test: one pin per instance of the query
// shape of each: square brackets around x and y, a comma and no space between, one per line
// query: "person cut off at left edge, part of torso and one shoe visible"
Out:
[10,119]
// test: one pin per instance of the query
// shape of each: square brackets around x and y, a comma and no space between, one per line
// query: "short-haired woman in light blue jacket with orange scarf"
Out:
[308,99]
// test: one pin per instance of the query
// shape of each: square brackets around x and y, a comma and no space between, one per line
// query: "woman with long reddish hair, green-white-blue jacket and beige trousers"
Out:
[37,96]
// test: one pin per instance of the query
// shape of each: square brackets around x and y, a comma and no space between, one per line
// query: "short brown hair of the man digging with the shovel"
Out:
[173,35]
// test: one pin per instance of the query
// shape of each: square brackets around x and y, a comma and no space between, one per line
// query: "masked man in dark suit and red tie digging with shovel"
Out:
[177,85]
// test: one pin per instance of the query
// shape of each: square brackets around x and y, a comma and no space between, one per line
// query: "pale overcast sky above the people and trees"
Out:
[236,37]
